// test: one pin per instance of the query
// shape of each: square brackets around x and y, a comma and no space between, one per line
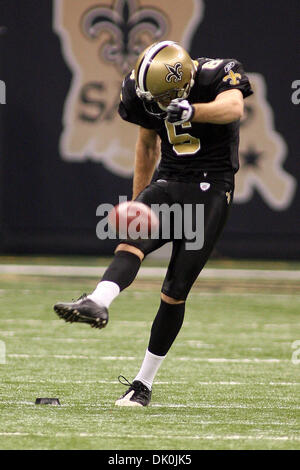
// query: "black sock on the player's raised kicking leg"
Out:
[123,269]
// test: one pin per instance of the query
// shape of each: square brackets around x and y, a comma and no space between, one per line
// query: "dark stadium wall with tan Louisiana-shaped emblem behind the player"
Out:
[64,150]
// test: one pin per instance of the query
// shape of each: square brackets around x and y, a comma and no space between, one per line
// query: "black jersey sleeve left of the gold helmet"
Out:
[131,107]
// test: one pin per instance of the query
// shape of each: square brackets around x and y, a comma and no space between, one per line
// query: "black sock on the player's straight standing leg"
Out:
[165,327]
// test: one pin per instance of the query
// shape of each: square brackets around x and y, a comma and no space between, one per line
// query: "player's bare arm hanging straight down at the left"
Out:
[146,155]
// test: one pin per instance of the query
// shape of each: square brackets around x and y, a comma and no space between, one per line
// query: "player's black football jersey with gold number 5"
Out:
[192,148]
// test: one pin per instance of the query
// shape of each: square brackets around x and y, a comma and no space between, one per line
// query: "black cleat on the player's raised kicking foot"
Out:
[83,310]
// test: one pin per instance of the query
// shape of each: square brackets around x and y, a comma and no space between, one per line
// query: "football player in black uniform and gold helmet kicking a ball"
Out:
[188,111]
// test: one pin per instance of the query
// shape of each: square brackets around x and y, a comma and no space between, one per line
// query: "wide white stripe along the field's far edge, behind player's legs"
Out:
[148,272]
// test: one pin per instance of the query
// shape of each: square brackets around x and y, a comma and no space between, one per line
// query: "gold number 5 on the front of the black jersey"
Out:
[183,144]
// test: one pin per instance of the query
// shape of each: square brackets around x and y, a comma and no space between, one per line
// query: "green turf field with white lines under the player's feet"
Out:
[228,382]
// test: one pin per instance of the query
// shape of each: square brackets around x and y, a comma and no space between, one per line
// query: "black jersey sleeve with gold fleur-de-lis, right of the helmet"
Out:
[230,75]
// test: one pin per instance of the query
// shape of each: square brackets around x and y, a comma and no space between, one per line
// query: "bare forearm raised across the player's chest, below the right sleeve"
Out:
[227,107]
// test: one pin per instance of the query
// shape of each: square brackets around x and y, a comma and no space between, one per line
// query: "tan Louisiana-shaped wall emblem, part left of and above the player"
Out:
[100,42]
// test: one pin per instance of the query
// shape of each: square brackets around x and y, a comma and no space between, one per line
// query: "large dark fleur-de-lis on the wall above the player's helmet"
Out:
[128,26]
